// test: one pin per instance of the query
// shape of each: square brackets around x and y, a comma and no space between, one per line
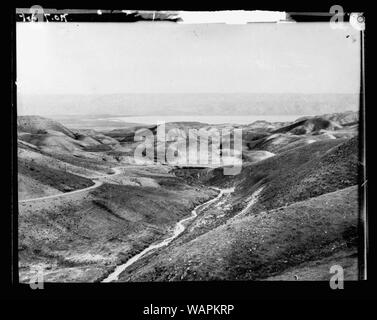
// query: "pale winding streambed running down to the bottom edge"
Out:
[179,228]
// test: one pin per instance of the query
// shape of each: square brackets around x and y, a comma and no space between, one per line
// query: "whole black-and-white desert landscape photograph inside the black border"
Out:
[182,146]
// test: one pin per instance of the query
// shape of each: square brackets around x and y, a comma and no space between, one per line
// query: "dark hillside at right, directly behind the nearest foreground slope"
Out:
[295,175]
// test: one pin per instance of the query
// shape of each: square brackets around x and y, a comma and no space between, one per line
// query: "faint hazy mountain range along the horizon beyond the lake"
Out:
[187,104]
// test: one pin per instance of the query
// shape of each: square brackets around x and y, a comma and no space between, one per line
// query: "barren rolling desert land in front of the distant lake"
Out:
[86,208]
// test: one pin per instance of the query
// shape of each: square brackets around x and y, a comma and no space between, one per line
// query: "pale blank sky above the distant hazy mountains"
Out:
[154,57]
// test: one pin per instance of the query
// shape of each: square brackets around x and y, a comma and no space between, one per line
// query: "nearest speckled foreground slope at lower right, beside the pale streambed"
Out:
[258,246]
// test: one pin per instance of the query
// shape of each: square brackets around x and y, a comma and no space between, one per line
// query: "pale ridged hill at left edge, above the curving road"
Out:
[53,159]
